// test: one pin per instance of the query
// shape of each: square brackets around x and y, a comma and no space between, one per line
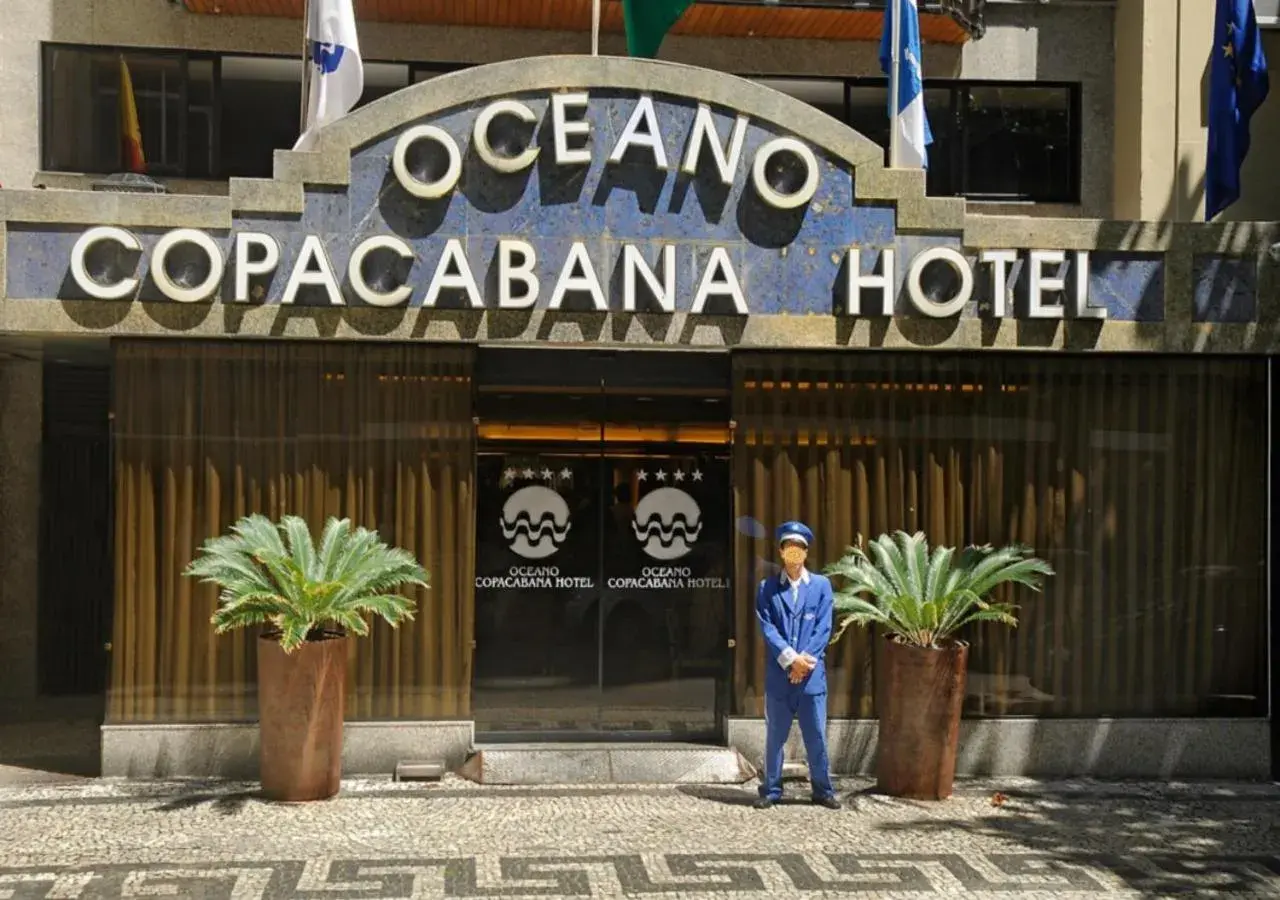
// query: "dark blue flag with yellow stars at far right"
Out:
[1238,85]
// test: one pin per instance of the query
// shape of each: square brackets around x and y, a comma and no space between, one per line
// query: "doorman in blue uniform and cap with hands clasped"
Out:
[796,613]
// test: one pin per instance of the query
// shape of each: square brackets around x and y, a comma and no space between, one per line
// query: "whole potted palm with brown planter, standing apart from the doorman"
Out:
[309,601]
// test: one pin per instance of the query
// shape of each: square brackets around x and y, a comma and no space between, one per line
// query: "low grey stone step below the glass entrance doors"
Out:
[668,764]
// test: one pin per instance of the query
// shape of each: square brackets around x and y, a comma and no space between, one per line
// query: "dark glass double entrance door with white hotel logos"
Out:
[602,560]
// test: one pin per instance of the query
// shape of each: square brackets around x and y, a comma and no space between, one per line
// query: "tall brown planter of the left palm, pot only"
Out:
[301,700]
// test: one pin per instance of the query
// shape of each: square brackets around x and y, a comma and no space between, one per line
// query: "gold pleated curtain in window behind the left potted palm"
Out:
[209,432]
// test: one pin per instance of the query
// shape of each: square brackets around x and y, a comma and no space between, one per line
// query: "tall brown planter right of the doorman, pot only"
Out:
[920,693]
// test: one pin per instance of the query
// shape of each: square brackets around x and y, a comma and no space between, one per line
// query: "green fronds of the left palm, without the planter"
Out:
[275,575]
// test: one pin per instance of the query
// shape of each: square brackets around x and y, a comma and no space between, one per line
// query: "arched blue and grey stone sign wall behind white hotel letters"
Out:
[1165,289]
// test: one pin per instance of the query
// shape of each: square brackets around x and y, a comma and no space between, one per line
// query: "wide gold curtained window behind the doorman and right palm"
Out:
[1141,481]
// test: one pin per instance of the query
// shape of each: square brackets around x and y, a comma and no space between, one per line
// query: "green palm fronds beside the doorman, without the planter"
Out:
[926,597]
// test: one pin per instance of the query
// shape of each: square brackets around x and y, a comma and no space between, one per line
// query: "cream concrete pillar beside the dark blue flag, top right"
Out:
[1162,102]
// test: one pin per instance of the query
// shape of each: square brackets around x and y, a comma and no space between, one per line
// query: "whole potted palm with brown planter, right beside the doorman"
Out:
[921,600]
